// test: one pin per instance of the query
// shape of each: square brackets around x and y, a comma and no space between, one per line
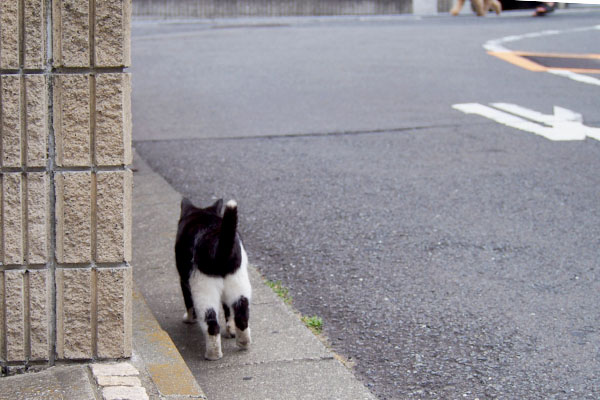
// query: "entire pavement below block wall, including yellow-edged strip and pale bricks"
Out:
[285,361]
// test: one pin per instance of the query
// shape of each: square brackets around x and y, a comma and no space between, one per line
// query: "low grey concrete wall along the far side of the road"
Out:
[245,8]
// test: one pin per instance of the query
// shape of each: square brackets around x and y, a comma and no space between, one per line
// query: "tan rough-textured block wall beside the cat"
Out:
[65,185]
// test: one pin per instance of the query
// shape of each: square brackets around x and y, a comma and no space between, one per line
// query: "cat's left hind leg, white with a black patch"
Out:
[206,292]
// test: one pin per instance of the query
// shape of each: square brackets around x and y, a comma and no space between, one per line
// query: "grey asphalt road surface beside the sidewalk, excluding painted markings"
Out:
[449,256]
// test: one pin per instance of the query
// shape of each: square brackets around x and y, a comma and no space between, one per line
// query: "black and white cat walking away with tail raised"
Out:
[213,269]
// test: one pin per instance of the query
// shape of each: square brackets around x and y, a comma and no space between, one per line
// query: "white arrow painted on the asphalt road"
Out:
[563,125]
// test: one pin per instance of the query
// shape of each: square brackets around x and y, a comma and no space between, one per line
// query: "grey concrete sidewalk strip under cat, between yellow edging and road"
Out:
[285,360]
